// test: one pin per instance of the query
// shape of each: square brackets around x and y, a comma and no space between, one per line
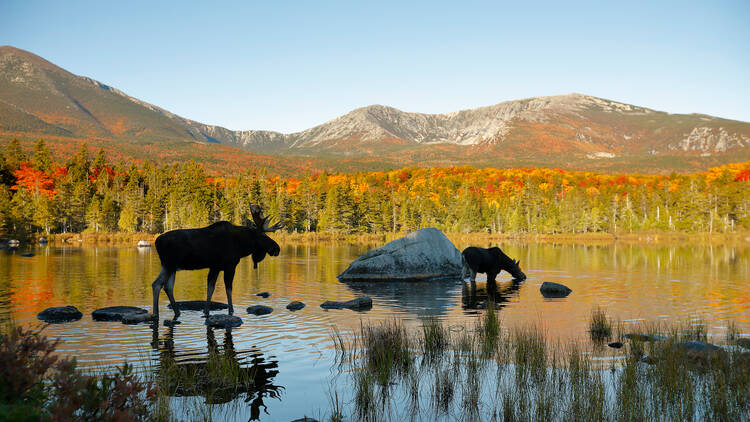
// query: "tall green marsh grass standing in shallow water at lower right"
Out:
[490,372]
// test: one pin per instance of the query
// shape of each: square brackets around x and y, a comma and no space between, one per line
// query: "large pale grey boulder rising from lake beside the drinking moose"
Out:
[421,255]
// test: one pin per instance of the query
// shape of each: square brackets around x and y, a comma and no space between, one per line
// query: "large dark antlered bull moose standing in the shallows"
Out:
[218,247]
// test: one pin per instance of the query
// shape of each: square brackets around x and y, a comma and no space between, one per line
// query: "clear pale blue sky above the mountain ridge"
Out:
[288,66]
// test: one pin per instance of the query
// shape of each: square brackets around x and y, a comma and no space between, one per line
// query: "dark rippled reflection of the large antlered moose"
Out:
[220,376]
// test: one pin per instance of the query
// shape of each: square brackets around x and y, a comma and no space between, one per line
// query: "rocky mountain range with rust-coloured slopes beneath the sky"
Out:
[574,131]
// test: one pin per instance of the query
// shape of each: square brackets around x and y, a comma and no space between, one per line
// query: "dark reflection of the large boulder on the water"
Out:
[422,298]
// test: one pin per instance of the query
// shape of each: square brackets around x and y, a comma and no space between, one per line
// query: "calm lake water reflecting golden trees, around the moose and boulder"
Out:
[292,350]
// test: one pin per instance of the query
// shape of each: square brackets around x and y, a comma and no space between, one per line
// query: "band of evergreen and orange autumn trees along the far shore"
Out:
[44,194]
